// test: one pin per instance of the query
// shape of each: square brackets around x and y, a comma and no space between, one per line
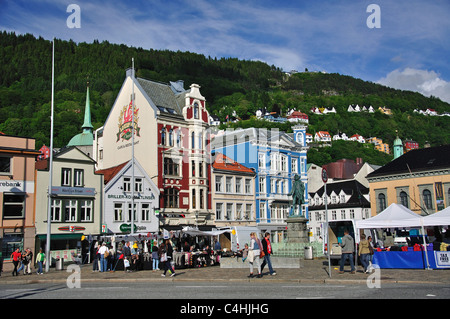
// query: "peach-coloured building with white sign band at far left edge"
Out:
[17,193]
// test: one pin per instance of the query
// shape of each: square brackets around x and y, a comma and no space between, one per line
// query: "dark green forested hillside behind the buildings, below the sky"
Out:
[228,85]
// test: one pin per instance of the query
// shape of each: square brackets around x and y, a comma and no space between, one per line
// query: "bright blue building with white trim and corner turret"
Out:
[276,157]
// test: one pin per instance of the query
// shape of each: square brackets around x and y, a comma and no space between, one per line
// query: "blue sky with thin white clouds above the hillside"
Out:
[404,44]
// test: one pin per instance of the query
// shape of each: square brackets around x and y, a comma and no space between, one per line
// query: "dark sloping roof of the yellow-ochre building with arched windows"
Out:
[425,159]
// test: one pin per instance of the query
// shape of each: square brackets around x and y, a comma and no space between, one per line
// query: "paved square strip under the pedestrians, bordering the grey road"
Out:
[311,271]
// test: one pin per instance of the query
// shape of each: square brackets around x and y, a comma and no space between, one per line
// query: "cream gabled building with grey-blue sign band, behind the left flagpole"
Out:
[76,205]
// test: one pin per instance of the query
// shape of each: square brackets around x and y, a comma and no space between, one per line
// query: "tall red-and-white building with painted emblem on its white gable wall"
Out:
[171,143]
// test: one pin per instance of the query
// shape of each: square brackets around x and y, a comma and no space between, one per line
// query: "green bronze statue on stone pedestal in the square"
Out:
[297,231]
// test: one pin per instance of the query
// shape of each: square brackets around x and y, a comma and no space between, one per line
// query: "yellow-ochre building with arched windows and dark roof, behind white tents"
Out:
[419,180]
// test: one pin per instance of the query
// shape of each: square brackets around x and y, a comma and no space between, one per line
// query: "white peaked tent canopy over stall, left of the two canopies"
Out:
[394,216]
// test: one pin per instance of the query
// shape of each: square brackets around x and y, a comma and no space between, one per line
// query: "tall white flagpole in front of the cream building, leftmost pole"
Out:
[50,179]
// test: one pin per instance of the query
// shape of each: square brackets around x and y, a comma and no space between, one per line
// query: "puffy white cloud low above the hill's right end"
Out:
[426,82]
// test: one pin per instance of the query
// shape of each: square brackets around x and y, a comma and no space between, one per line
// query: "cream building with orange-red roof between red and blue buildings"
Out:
[233,193]
